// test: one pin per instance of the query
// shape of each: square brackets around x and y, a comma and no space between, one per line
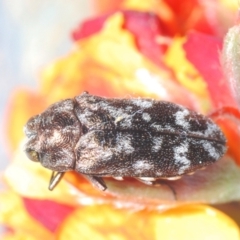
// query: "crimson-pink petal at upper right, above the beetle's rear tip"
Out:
[203,52]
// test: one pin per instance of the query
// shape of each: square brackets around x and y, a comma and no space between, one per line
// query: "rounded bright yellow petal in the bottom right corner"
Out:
[196,222]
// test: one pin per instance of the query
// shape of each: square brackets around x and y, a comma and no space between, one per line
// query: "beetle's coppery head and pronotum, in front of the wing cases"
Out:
[52,137]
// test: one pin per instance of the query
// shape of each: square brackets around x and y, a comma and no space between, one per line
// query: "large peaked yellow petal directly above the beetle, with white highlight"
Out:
[108,63]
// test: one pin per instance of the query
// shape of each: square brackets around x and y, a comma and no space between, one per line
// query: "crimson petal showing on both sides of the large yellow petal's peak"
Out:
[146,28]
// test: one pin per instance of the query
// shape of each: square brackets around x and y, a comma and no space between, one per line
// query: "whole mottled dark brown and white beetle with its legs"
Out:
[141,138]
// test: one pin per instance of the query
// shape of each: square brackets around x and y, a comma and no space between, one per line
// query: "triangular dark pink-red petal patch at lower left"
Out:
[48,213]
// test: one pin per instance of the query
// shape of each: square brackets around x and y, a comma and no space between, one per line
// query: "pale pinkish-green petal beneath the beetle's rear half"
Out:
[218,183]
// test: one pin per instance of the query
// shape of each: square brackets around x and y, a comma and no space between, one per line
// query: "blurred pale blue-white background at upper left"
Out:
[33,33]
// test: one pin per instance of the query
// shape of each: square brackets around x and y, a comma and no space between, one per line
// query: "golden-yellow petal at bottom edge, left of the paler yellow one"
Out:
[104,223]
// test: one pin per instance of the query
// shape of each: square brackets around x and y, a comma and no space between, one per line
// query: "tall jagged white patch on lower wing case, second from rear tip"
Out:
[180,157]
